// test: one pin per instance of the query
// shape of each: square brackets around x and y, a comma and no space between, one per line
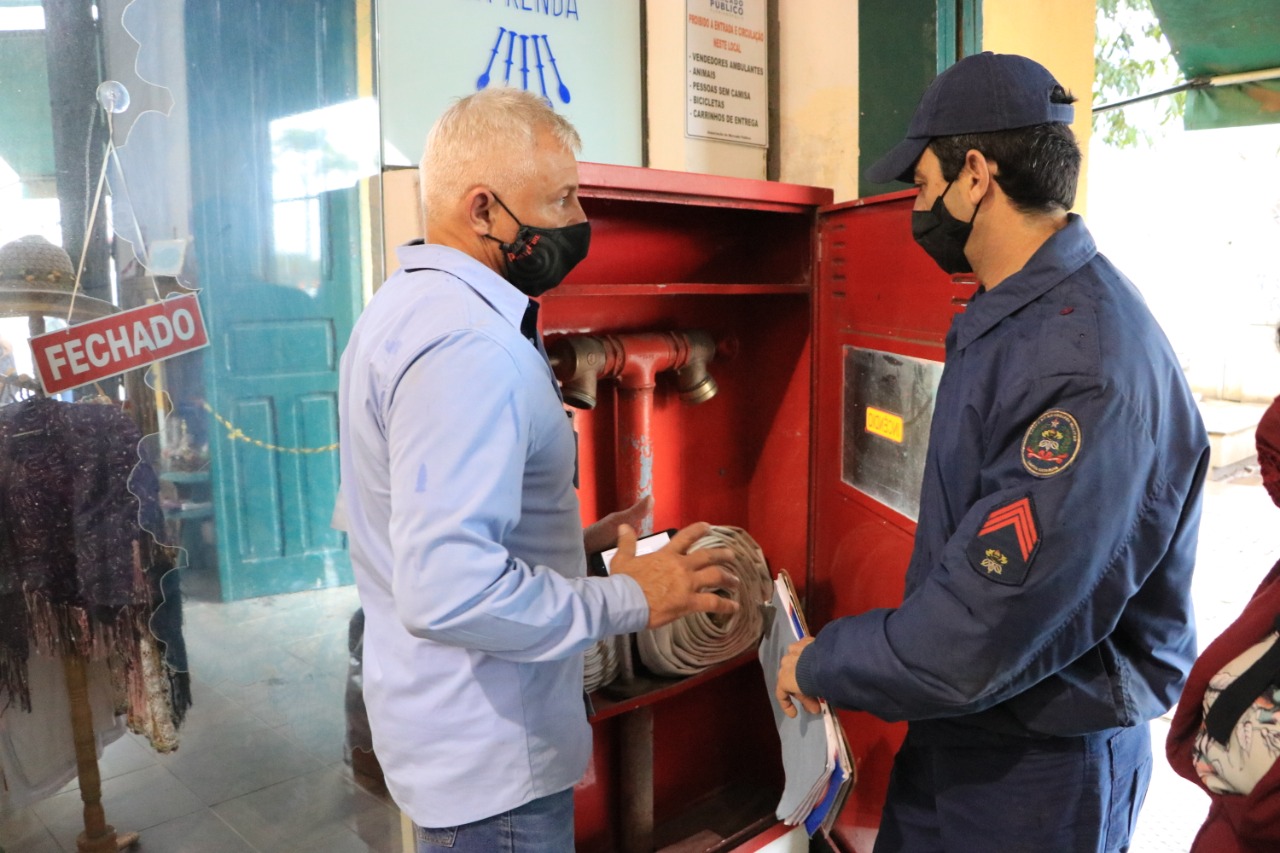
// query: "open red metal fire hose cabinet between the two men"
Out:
[757,358]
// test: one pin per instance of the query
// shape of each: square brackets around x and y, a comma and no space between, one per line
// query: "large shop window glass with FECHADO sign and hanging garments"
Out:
[167,530]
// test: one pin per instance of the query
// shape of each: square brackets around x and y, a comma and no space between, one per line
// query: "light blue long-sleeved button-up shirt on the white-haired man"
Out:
[458,475]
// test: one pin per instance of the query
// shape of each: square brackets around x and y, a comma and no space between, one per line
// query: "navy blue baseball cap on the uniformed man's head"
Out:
[980,94]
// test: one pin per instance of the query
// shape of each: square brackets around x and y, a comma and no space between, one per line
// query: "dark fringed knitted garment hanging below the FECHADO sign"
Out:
[80,568]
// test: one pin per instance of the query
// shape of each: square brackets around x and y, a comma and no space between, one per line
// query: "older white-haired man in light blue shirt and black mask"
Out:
[458,475]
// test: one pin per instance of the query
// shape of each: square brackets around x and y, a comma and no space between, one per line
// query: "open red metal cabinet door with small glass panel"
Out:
[881,316]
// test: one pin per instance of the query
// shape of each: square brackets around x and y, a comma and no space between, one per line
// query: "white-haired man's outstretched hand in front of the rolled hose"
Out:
[675,581]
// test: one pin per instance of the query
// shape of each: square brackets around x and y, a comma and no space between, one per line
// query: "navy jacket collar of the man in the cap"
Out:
[1063,254]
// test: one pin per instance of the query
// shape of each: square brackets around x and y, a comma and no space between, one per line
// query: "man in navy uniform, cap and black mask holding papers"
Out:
[1048,615]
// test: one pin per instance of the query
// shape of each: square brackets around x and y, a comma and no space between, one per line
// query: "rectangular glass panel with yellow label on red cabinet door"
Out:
[889,407]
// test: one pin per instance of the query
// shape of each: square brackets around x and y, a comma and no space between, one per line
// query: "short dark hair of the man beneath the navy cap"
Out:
[1040,166]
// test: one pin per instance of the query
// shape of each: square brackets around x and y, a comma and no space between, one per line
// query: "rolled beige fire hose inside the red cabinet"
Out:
[700,641]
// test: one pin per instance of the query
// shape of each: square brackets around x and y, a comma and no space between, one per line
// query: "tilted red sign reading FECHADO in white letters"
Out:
[90,352]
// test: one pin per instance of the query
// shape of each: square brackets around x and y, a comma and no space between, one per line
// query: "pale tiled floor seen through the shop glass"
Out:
[260,768]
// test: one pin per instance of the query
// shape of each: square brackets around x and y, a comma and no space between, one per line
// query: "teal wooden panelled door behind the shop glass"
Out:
[277,149]
